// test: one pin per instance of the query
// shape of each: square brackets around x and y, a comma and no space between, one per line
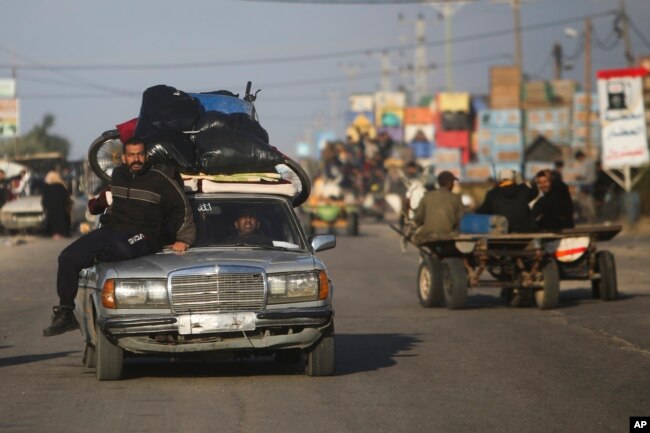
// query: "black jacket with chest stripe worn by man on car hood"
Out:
[151,203]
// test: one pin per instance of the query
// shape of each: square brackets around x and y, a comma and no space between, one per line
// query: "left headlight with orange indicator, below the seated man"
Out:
[135,294]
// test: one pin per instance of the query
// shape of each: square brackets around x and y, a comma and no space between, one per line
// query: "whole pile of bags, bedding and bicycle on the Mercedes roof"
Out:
[212,137]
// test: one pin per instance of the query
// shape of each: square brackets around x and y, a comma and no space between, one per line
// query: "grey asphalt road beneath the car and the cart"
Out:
[584,367]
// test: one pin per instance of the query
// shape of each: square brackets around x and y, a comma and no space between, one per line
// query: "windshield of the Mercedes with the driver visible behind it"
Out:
[237,222]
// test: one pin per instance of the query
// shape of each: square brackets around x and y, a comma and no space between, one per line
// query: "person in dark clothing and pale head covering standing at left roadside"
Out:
[56,206]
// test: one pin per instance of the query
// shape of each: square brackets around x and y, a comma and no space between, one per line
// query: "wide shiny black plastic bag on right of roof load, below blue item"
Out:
[226,151]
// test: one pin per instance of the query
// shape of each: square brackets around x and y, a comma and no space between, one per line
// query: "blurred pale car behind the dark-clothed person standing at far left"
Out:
[25,214]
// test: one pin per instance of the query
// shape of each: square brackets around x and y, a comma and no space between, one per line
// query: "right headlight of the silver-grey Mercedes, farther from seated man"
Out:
[293,287]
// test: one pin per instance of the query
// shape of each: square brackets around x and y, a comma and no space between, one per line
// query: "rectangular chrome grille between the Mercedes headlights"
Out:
[215,293]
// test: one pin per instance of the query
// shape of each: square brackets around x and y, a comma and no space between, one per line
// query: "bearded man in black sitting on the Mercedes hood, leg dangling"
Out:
[149,209]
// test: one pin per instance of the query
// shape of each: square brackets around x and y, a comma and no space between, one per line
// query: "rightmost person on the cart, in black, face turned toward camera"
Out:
[553,209]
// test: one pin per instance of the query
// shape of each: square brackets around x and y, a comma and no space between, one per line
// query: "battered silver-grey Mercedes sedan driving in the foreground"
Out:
[220,297]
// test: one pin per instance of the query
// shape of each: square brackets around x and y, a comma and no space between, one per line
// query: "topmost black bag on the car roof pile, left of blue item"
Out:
[166,107]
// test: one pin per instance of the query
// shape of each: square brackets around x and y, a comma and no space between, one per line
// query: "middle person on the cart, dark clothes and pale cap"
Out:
[510,200]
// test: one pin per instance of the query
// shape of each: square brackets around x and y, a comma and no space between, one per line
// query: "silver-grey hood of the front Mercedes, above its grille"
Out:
[161,264]
